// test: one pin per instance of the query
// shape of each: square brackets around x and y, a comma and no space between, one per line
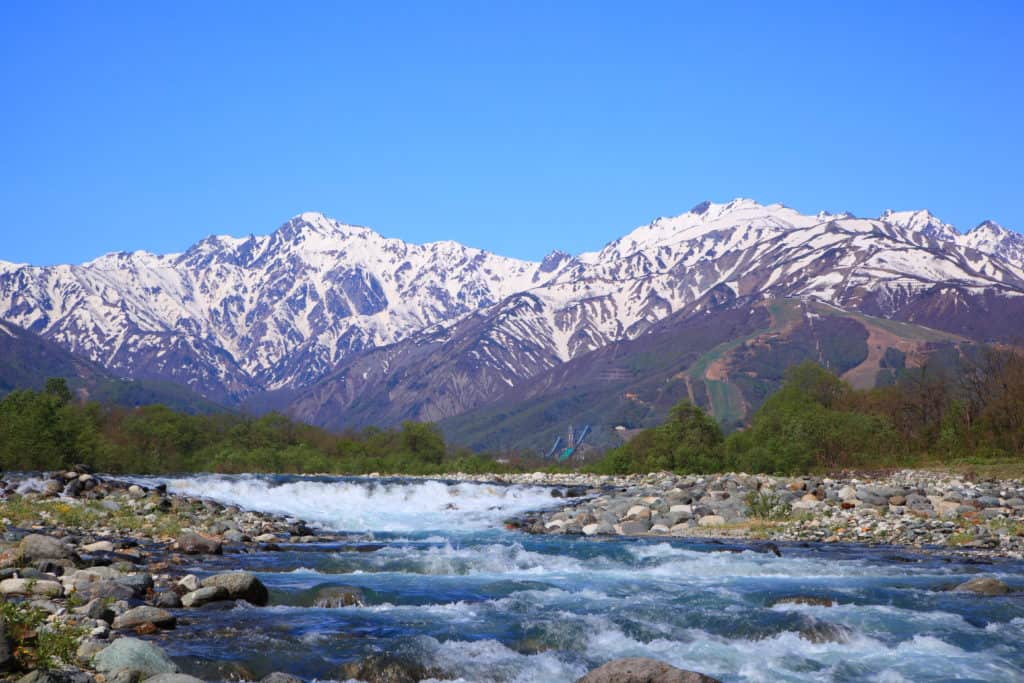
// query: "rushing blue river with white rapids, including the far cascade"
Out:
[447,586]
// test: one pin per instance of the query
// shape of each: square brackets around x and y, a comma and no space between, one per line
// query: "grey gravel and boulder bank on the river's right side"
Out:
[911,508]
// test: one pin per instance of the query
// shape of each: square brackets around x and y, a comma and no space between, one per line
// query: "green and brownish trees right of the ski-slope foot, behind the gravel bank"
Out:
[936,414]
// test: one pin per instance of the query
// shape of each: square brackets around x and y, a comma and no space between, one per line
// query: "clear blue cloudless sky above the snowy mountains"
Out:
[515,126]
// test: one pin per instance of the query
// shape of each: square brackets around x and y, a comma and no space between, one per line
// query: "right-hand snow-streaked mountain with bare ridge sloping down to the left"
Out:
[907,267]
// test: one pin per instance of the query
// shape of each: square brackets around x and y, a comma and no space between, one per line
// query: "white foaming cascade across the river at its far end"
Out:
[371,505]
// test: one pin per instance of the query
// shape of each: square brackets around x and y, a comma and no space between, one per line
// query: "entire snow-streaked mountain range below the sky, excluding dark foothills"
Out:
[324,313]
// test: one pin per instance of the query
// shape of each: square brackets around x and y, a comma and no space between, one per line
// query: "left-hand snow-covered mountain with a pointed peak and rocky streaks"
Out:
[233,317]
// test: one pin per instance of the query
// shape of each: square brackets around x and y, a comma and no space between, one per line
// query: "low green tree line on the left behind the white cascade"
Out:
[50,430]
